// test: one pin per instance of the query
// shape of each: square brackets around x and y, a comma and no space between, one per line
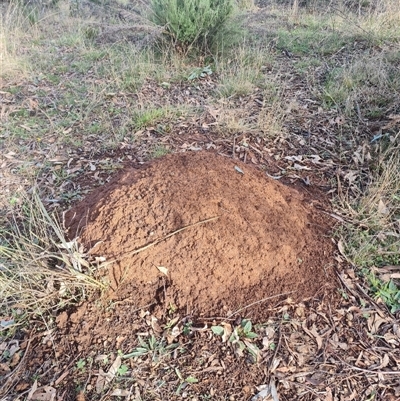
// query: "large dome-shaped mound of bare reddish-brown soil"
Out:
[265,240]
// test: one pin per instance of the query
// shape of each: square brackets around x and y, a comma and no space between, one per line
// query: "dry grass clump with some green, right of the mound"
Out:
[372,240]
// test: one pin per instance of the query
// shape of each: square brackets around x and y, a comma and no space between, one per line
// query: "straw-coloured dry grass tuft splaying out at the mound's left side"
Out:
[39,269]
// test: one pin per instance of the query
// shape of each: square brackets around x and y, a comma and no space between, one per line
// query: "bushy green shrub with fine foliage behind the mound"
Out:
[191,23]
